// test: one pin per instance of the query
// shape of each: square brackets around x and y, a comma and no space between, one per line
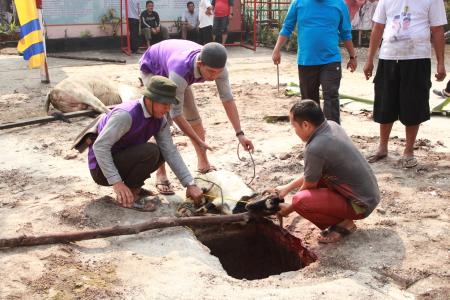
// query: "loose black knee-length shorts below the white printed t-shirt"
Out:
[402,91]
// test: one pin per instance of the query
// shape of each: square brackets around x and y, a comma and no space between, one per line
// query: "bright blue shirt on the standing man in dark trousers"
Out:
[321,23]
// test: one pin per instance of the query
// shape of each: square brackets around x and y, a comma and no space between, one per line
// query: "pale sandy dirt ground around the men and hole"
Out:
[401,251]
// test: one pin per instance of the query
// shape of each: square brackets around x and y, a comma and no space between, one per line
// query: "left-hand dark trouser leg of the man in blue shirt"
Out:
[309,82]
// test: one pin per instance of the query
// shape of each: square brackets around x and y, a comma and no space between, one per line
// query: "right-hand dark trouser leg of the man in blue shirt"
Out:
[330,79]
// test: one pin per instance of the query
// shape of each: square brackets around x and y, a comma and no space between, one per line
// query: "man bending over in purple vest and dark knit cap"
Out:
[186,63]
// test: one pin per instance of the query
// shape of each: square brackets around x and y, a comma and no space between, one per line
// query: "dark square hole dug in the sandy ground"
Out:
[256,250]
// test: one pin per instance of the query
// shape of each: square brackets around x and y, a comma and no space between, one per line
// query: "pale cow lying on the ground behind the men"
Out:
[79,93]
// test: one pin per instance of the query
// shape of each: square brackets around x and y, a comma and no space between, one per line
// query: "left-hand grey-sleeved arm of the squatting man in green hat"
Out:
[118,124]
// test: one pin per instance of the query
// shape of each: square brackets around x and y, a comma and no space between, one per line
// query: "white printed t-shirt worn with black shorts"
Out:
[407,27]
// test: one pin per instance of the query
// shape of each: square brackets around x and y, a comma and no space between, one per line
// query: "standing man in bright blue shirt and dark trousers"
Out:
[321,23]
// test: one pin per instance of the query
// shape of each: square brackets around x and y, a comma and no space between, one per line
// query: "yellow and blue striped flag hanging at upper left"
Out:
[32,43]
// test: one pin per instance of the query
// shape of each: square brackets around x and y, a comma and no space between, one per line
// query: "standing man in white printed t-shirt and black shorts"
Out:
[408,28]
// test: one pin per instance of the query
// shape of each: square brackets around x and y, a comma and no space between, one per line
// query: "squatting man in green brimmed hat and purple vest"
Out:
[121,156]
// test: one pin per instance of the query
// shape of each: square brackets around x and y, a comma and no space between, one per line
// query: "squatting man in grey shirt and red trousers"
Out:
[338,185]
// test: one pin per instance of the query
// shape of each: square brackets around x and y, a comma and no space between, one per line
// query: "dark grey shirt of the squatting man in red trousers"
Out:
[330,156]
